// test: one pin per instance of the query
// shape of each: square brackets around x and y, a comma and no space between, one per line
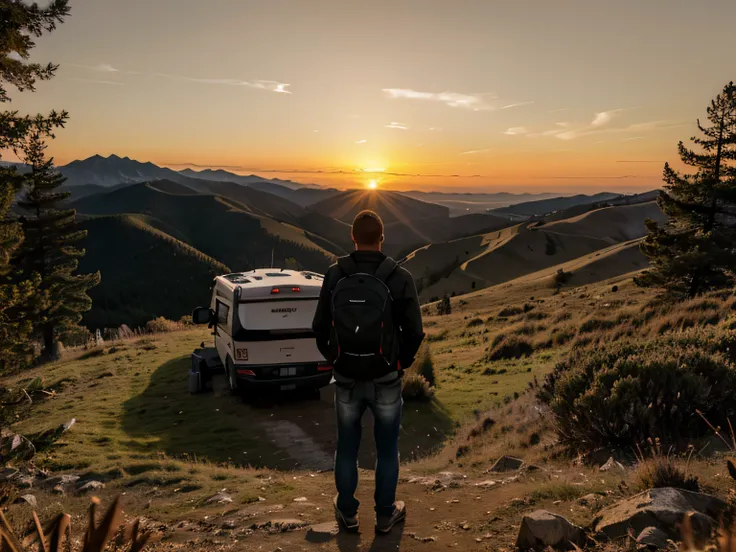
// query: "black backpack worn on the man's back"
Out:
[363,322]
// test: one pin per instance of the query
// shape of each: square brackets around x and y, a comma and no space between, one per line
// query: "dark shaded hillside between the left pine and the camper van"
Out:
[145,272]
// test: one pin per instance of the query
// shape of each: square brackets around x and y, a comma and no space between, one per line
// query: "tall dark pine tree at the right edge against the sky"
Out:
[694,250]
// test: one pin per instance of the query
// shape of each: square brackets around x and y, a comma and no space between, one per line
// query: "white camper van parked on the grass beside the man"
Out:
[262,323]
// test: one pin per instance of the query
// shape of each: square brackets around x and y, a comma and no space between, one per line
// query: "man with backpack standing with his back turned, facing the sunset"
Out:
[368,324]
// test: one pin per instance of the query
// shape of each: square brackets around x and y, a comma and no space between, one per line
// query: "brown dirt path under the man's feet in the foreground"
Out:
[462,516]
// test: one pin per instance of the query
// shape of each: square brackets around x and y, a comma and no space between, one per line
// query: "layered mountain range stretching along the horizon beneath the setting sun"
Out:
[158,236]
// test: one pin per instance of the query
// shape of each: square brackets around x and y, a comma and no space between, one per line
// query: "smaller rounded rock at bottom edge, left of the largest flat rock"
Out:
[541,529]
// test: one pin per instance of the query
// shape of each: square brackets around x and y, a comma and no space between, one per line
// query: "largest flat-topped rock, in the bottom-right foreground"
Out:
[662,508]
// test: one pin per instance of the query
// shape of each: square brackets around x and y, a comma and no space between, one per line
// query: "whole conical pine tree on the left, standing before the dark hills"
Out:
[48,250]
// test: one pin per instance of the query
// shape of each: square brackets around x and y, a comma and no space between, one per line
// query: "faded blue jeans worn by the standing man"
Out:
[385,401]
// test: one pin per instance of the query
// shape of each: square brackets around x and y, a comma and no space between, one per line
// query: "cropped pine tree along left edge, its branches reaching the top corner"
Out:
[19,23]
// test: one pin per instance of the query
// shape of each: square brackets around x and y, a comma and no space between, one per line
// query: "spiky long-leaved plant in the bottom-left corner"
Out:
[56,536]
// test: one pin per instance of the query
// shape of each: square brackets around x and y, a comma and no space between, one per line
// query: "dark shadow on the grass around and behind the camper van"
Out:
[274,432]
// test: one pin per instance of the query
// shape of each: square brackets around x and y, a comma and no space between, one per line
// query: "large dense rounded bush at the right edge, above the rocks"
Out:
[619,394]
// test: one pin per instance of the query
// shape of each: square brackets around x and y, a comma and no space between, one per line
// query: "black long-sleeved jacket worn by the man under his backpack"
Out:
[407,315]
